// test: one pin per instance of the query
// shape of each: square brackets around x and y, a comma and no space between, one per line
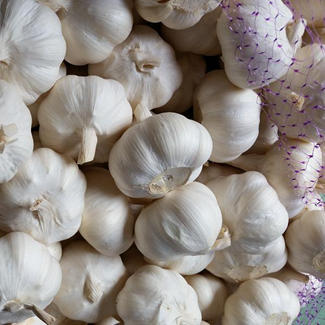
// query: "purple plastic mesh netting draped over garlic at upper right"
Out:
[288,73]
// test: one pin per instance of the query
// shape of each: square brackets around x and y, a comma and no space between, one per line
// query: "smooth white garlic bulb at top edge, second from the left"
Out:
[92,28]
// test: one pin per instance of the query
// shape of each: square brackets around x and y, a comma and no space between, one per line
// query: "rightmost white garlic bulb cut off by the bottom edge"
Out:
[263,301]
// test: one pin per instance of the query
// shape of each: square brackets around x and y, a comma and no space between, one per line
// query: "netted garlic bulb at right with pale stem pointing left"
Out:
[292,168]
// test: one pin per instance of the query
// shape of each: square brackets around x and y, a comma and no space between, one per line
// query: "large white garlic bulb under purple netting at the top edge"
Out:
[255,44]
